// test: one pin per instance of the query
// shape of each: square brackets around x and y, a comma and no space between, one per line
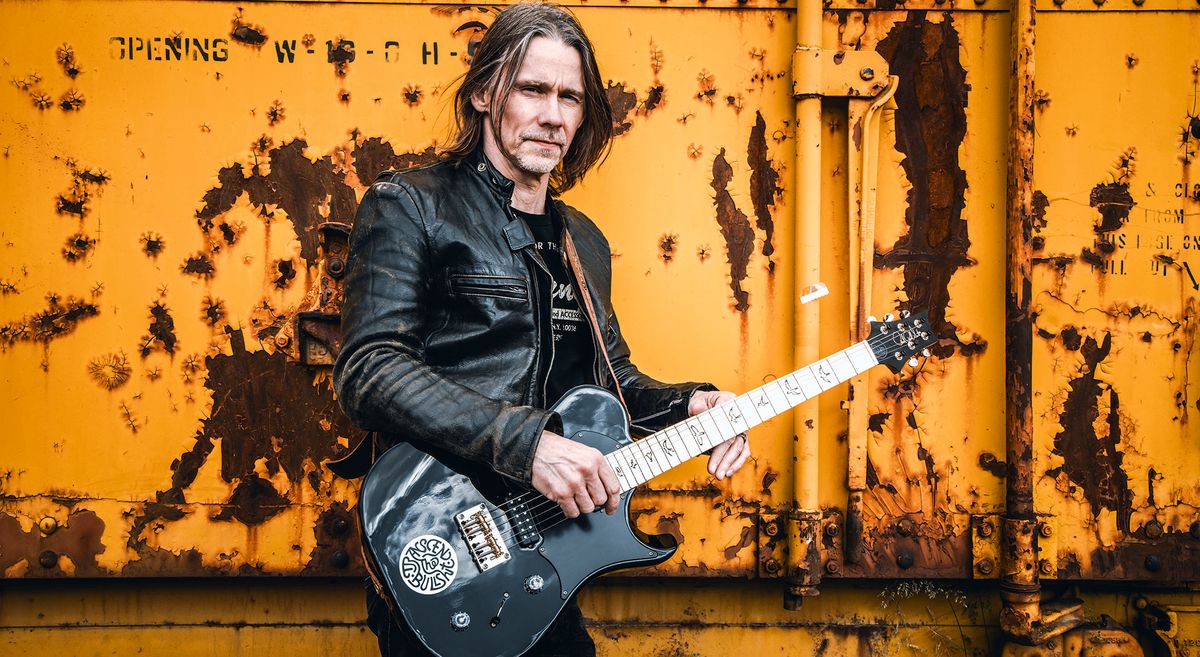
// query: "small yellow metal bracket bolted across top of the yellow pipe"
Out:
[838,74]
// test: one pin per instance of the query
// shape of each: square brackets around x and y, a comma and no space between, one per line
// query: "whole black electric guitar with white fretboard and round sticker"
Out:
[473,568]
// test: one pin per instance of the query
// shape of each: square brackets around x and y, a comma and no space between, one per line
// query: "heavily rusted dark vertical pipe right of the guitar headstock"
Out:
[1019,583]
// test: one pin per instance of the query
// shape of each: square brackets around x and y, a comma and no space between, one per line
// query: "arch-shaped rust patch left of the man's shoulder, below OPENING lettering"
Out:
[297,185]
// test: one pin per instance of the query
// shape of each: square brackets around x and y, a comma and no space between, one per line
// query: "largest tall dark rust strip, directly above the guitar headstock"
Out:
[931,126]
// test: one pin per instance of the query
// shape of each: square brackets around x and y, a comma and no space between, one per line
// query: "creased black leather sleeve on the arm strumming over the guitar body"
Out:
[382,381]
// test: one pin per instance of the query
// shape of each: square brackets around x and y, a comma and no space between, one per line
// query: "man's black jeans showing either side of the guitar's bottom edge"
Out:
[566,638]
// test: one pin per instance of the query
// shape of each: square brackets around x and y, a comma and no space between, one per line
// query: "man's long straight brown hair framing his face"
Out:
[494,70]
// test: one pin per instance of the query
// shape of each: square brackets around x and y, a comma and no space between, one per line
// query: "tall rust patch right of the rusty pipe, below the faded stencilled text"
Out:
[1091,459]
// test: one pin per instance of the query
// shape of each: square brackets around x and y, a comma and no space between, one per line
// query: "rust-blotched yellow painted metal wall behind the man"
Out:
[166,285]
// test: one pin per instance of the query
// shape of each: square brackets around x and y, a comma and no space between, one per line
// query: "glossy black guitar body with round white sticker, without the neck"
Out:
[467,588]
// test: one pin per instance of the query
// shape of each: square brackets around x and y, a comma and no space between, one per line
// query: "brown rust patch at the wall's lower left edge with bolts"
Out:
[79,539]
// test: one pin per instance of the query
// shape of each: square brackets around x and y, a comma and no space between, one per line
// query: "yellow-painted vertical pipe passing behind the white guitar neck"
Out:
[805,558]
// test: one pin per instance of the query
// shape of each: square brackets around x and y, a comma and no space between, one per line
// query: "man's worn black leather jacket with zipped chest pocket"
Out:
[441,321]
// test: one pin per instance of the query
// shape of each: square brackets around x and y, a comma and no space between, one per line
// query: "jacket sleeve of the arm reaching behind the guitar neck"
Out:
[652,403]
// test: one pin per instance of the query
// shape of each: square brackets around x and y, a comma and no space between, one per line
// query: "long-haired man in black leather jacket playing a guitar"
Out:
[463,321]
